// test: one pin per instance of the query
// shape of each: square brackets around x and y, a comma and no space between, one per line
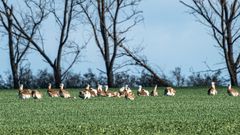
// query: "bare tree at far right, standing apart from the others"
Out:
[222,17]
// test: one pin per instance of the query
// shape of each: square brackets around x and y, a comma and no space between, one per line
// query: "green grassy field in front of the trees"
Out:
[191,111]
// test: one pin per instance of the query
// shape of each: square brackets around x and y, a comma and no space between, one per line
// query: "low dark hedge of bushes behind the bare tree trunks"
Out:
[43,78]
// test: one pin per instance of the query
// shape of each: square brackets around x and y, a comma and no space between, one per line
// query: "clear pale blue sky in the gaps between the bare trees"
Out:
[170,35]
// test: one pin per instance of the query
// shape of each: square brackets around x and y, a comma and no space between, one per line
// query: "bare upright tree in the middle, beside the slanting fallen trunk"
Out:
[110,21]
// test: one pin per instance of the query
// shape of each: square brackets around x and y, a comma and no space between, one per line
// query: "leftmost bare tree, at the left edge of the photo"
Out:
[16,45]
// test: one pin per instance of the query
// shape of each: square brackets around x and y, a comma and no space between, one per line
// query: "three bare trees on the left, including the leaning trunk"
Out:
[109,21]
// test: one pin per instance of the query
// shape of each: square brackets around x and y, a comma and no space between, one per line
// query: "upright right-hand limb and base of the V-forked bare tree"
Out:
[65,25]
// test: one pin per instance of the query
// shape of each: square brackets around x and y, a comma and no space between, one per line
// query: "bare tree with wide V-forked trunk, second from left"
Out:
[39,12]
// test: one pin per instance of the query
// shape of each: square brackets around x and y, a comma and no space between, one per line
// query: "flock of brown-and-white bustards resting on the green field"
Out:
[126,92]
